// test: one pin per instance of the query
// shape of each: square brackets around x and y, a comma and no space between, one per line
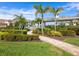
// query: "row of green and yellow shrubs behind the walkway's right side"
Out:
[56,33]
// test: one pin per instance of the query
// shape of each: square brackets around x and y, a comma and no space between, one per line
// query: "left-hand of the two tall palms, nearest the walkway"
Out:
[40,9]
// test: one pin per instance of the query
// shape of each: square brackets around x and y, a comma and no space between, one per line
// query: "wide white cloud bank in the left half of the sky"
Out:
[9,13]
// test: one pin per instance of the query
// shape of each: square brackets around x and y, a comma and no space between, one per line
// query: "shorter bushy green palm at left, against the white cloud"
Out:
[20,21]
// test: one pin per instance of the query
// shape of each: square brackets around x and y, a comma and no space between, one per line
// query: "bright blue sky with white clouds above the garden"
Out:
[9,9]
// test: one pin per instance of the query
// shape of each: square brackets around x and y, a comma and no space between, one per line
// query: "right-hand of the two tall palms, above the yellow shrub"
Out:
[55,12]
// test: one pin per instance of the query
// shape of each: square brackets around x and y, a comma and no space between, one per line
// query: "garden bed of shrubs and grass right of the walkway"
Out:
[69,35]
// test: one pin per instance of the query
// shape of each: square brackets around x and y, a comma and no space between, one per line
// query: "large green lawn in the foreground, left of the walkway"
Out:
[30,49]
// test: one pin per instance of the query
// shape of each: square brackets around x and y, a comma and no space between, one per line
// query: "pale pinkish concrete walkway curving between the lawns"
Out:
[60,44]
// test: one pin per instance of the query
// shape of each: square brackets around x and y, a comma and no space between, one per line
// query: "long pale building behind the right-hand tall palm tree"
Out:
[66,20]
